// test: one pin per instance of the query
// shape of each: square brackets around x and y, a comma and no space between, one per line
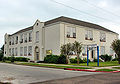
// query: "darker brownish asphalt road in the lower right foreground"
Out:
[109,78]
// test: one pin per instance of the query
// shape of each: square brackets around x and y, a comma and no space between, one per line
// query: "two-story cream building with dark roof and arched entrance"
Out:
[44,38]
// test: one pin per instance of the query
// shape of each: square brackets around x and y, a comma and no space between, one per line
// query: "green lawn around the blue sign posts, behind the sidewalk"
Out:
[101,64]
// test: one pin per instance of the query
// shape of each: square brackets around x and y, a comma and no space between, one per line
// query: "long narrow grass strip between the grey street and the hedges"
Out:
[51,66]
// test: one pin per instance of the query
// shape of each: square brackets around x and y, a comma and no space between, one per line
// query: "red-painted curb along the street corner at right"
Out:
[90,70]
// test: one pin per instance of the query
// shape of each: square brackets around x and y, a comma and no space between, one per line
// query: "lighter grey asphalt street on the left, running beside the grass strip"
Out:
[18,74]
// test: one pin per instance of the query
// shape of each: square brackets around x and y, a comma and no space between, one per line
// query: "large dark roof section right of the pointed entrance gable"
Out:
[77,22]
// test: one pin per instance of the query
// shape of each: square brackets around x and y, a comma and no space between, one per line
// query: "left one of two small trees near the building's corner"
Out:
[66,51]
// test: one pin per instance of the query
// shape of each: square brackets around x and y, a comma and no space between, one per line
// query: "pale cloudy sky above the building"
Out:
[19,14]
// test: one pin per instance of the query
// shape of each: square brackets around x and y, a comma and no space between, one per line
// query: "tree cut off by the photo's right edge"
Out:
[116,47]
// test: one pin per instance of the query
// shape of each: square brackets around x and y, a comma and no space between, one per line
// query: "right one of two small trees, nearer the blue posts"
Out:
[77,48]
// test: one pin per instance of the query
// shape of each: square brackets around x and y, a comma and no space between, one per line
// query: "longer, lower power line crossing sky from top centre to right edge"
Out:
[83,11]
